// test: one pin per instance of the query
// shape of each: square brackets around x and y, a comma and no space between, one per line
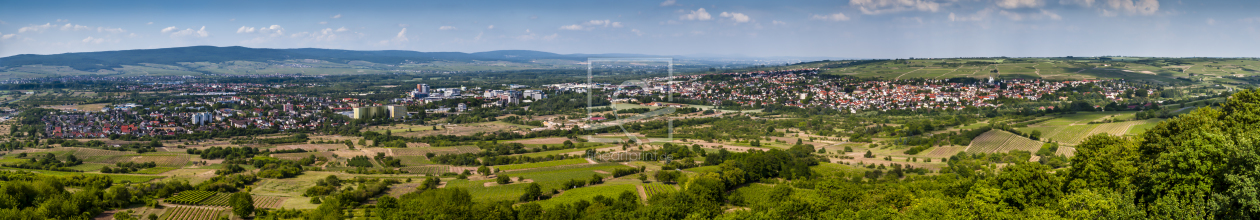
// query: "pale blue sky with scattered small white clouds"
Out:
[807,28]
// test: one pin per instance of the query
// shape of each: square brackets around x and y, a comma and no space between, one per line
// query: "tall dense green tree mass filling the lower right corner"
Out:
[1203,164]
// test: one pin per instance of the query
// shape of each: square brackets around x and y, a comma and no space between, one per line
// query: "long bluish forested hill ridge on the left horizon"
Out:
[95,61]
